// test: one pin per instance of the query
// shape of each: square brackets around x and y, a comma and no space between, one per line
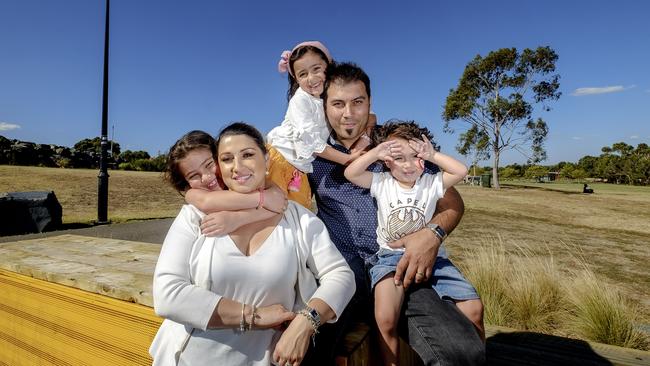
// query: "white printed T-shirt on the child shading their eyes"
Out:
[401,211]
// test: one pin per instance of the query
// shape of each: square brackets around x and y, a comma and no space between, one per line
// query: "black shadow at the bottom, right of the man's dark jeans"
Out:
[529,348]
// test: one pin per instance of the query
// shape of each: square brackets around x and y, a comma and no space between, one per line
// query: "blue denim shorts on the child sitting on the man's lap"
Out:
[447,280]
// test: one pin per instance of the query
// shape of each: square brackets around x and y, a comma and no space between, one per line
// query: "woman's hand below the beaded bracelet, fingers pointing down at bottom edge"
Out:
[294,342]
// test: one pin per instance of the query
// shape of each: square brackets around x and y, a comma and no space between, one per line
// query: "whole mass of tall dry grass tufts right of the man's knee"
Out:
[523,290]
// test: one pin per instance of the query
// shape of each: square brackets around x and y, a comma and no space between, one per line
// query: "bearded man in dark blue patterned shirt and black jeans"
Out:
[435,328]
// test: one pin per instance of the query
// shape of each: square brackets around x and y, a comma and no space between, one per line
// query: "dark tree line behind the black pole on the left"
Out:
[84,154]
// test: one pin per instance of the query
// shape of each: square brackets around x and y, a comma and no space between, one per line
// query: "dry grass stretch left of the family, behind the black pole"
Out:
[131,195]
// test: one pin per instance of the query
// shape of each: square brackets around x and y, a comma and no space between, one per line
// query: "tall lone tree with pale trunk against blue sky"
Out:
[495,99]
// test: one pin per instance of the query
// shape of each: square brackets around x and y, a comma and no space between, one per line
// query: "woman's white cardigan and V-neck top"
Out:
[194,272]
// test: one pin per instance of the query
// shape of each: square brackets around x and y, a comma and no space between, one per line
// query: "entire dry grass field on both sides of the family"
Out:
[609,230]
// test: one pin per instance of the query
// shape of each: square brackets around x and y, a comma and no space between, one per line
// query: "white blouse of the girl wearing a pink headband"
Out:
[303,132]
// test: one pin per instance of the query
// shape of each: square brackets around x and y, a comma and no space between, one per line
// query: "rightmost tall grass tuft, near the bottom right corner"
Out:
[600,313]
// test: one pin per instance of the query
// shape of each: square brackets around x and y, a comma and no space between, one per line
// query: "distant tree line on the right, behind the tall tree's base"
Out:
[620,163]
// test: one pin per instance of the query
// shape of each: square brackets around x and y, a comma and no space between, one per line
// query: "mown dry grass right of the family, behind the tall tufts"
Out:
[608,229]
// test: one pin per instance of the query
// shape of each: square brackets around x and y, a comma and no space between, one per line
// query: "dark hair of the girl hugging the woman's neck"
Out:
[190,141]
